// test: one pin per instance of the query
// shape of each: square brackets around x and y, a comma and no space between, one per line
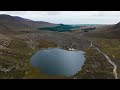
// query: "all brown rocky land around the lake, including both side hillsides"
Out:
[19,40]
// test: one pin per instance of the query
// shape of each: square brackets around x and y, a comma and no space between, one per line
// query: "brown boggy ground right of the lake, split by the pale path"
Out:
[96,65]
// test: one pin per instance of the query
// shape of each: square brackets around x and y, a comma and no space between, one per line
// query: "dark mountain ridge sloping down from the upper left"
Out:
[15,22]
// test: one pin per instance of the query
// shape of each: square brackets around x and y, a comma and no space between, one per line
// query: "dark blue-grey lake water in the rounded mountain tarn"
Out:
[56,61]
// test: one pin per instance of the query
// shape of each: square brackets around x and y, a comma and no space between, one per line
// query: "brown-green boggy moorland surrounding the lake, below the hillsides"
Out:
[16,50]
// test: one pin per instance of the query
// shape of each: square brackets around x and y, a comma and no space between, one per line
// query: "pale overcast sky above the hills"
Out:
[69,17]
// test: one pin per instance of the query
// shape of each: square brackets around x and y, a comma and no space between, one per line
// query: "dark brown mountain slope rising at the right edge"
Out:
[108,31]
